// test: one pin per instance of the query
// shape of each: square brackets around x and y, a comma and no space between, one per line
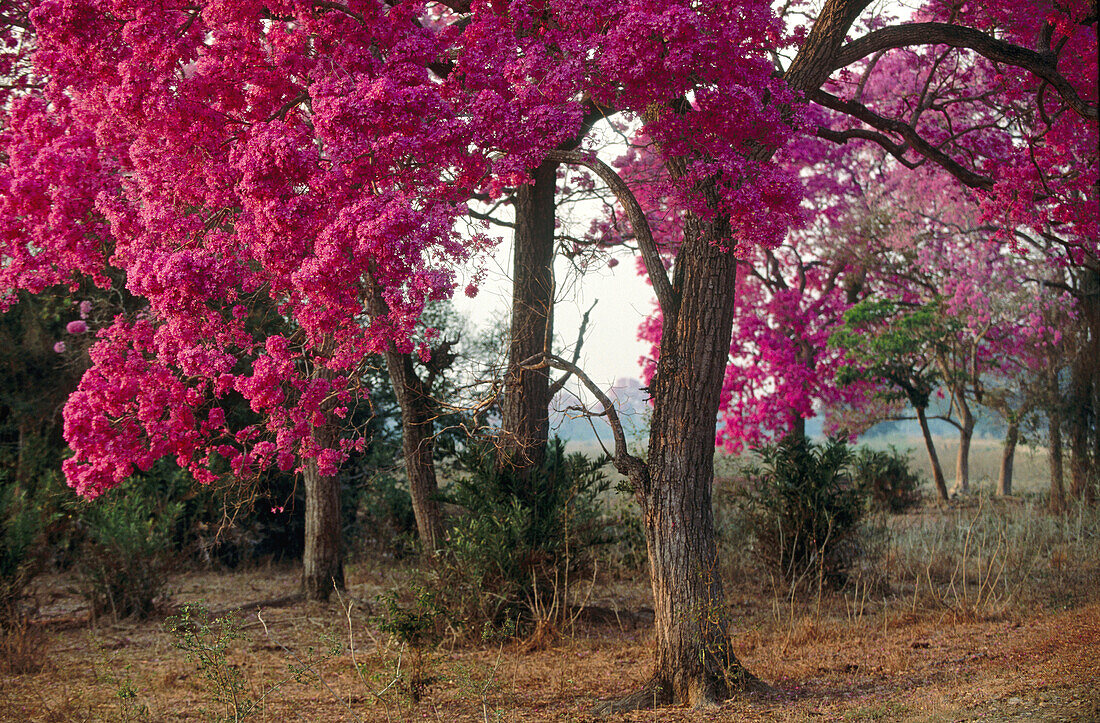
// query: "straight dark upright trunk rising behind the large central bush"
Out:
[526,402]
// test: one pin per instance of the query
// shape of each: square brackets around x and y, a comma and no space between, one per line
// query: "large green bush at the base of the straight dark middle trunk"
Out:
[520,542]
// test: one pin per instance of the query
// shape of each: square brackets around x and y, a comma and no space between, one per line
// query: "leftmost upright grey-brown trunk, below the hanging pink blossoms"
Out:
[323,560]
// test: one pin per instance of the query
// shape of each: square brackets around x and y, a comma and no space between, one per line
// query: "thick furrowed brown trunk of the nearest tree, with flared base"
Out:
[695,663]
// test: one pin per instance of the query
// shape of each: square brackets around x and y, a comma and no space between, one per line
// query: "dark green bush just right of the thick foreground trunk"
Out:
[804,510]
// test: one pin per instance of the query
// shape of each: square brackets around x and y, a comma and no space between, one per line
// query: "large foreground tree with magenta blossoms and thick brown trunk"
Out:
[314,157]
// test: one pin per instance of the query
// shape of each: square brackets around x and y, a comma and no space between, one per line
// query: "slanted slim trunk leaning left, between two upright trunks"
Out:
[419,412]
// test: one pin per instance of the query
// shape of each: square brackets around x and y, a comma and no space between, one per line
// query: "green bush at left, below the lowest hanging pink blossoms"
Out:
[124,566]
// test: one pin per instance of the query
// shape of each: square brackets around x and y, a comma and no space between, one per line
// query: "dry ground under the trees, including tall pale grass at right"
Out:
[985,612]
